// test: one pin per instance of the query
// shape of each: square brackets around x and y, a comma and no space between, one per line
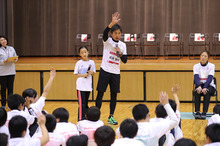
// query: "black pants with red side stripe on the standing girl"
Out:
[83,97]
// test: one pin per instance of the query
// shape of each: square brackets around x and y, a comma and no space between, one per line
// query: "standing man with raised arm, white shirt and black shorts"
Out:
[114,51]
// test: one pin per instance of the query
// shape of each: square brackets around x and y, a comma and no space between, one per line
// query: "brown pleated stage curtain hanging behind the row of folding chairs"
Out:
[49,27]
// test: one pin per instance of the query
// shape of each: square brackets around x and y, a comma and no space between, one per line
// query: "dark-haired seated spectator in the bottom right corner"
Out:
[212,135]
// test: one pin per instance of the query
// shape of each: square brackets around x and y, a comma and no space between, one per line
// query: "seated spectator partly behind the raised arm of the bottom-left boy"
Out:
[55,139]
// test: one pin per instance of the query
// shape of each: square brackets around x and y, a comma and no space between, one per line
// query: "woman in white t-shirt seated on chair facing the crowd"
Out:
[203,79]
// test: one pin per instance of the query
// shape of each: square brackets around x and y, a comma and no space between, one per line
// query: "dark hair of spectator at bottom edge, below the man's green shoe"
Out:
[104,136]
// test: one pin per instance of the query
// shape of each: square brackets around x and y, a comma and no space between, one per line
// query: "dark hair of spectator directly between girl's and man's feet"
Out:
[93,114]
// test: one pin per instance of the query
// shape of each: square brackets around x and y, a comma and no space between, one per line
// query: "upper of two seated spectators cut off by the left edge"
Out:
[3,118]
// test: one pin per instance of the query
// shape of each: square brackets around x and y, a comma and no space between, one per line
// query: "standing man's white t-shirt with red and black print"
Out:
[110,60]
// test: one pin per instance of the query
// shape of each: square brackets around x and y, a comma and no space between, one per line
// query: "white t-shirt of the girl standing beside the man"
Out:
[81,67]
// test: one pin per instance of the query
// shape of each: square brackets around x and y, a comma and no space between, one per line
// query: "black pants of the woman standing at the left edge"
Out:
[7,82]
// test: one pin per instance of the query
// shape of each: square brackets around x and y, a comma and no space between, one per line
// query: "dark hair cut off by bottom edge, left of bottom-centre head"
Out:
[81,140]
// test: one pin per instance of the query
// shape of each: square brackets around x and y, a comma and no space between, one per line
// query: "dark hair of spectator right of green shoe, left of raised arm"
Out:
[140,112]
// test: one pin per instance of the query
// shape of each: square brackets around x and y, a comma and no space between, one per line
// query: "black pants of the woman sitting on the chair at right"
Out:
[206,99]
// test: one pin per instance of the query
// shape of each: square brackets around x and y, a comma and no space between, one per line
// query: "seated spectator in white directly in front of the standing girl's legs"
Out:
[89,126]
